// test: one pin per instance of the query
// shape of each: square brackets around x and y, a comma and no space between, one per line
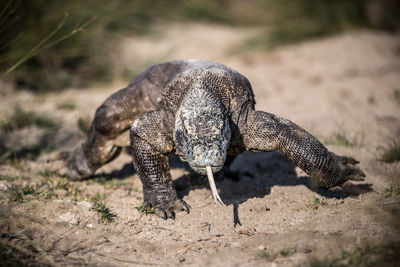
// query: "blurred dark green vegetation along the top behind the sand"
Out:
[49,45]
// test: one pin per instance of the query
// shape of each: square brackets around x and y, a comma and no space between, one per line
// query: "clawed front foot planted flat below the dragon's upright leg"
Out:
[164,205]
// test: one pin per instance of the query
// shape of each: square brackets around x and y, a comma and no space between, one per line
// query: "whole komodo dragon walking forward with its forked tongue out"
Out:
[203,111]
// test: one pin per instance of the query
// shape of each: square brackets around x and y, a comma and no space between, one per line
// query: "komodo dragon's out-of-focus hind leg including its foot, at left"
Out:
[106,135]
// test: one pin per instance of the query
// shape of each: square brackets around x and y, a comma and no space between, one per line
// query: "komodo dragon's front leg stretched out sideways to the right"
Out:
[267,132]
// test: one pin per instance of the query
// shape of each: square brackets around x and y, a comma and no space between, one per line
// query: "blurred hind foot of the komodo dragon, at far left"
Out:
[71,164]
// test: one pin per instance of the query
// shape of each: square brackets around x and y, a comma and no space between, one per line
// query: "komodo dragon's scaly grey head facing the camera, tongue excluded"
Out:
[202,133]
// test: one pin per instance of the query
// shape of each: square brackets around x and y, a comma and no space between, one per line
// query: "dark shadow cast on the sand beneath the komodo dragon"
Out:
[254,174]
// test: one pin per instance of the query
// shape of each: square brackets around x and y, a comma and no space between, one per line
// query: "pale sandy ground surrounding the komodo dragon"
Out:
[347,85]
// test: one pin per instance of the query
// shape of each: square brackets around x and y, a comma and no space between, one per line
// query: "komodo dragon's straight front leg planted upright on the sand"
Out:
[151,142]
